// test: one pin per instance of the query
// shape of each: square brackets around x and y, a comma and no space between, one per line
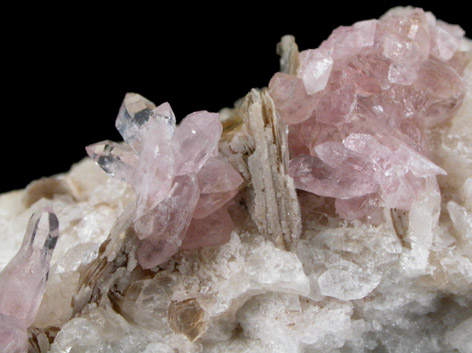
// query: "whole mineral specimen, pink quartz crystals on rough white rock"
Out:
[372,253]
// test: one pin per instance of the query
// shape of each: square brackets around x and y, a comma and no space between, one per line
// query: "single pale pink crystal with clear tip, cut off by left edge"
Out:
[23,281]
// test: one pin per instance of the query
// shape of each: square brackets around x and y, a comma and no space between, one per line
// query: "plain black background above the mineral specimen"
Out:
[67,69]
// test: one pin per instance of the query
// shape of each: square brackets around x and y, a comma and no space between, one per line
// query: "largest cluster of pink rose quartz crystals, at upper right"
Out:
[360,107]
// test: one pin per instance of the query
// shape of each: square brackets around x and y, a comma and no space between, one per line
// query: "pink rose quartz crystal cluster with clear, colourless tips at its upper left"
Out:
[181,185]
